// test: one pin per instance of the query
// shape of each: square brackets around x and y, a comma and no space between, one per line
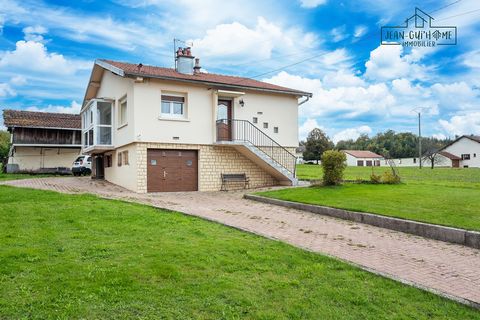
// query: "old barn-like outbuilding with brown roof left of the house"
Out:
[42,142]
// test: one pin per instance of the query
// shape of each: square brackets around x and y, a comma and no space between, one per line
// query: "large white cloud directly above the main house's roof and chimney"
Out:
[249,43]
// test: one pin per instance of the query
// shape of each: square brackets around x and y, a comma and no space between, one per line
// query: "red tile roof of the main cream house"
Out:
[210,78]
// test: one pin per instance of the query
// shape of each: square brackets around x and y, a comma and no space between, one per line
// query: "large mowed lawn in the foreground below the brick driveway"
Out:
[78,256]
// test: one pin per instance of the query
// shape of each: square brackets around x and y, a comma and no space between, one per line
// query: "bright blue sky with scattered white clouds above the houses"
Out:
[47,50]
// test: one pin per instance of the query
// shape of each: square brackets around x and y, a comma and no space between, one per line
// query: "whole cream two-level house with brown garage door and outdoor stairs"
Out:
[153,129]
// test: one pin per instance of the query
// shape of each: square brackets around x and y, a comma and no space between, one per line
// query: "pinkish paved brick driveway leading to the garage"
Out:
[449,269]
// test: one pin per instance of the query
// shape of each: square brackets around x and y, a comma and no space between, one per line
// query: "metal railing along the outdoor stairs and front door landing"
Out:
[244,131]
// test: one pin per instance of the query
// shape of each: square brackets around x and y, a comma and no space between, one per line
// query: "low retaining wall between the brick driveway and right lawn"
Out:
[432,231]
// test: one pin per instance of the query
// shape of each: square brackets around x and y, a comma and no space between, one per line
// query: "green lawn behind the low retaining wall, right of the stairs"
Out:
[444,196]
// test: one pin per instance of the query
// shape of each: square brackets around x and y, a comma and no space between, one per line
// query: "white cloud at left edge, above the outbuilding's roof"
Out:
[33,56]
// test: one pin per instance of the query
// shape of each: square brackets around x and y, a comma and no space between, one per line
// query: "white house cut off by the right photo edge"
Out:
[466,150]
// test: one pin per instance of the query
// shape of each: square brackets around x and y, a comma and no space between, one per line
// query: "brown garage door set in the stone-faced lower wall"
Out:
[172,170]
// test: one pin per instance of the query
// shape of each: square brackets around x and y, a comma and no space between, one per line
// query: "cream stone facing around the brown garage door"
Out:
[212,162]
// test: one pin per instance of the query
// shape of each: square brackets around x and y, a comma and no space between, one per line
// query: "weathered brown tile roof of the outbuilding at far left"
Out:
[31,119]
